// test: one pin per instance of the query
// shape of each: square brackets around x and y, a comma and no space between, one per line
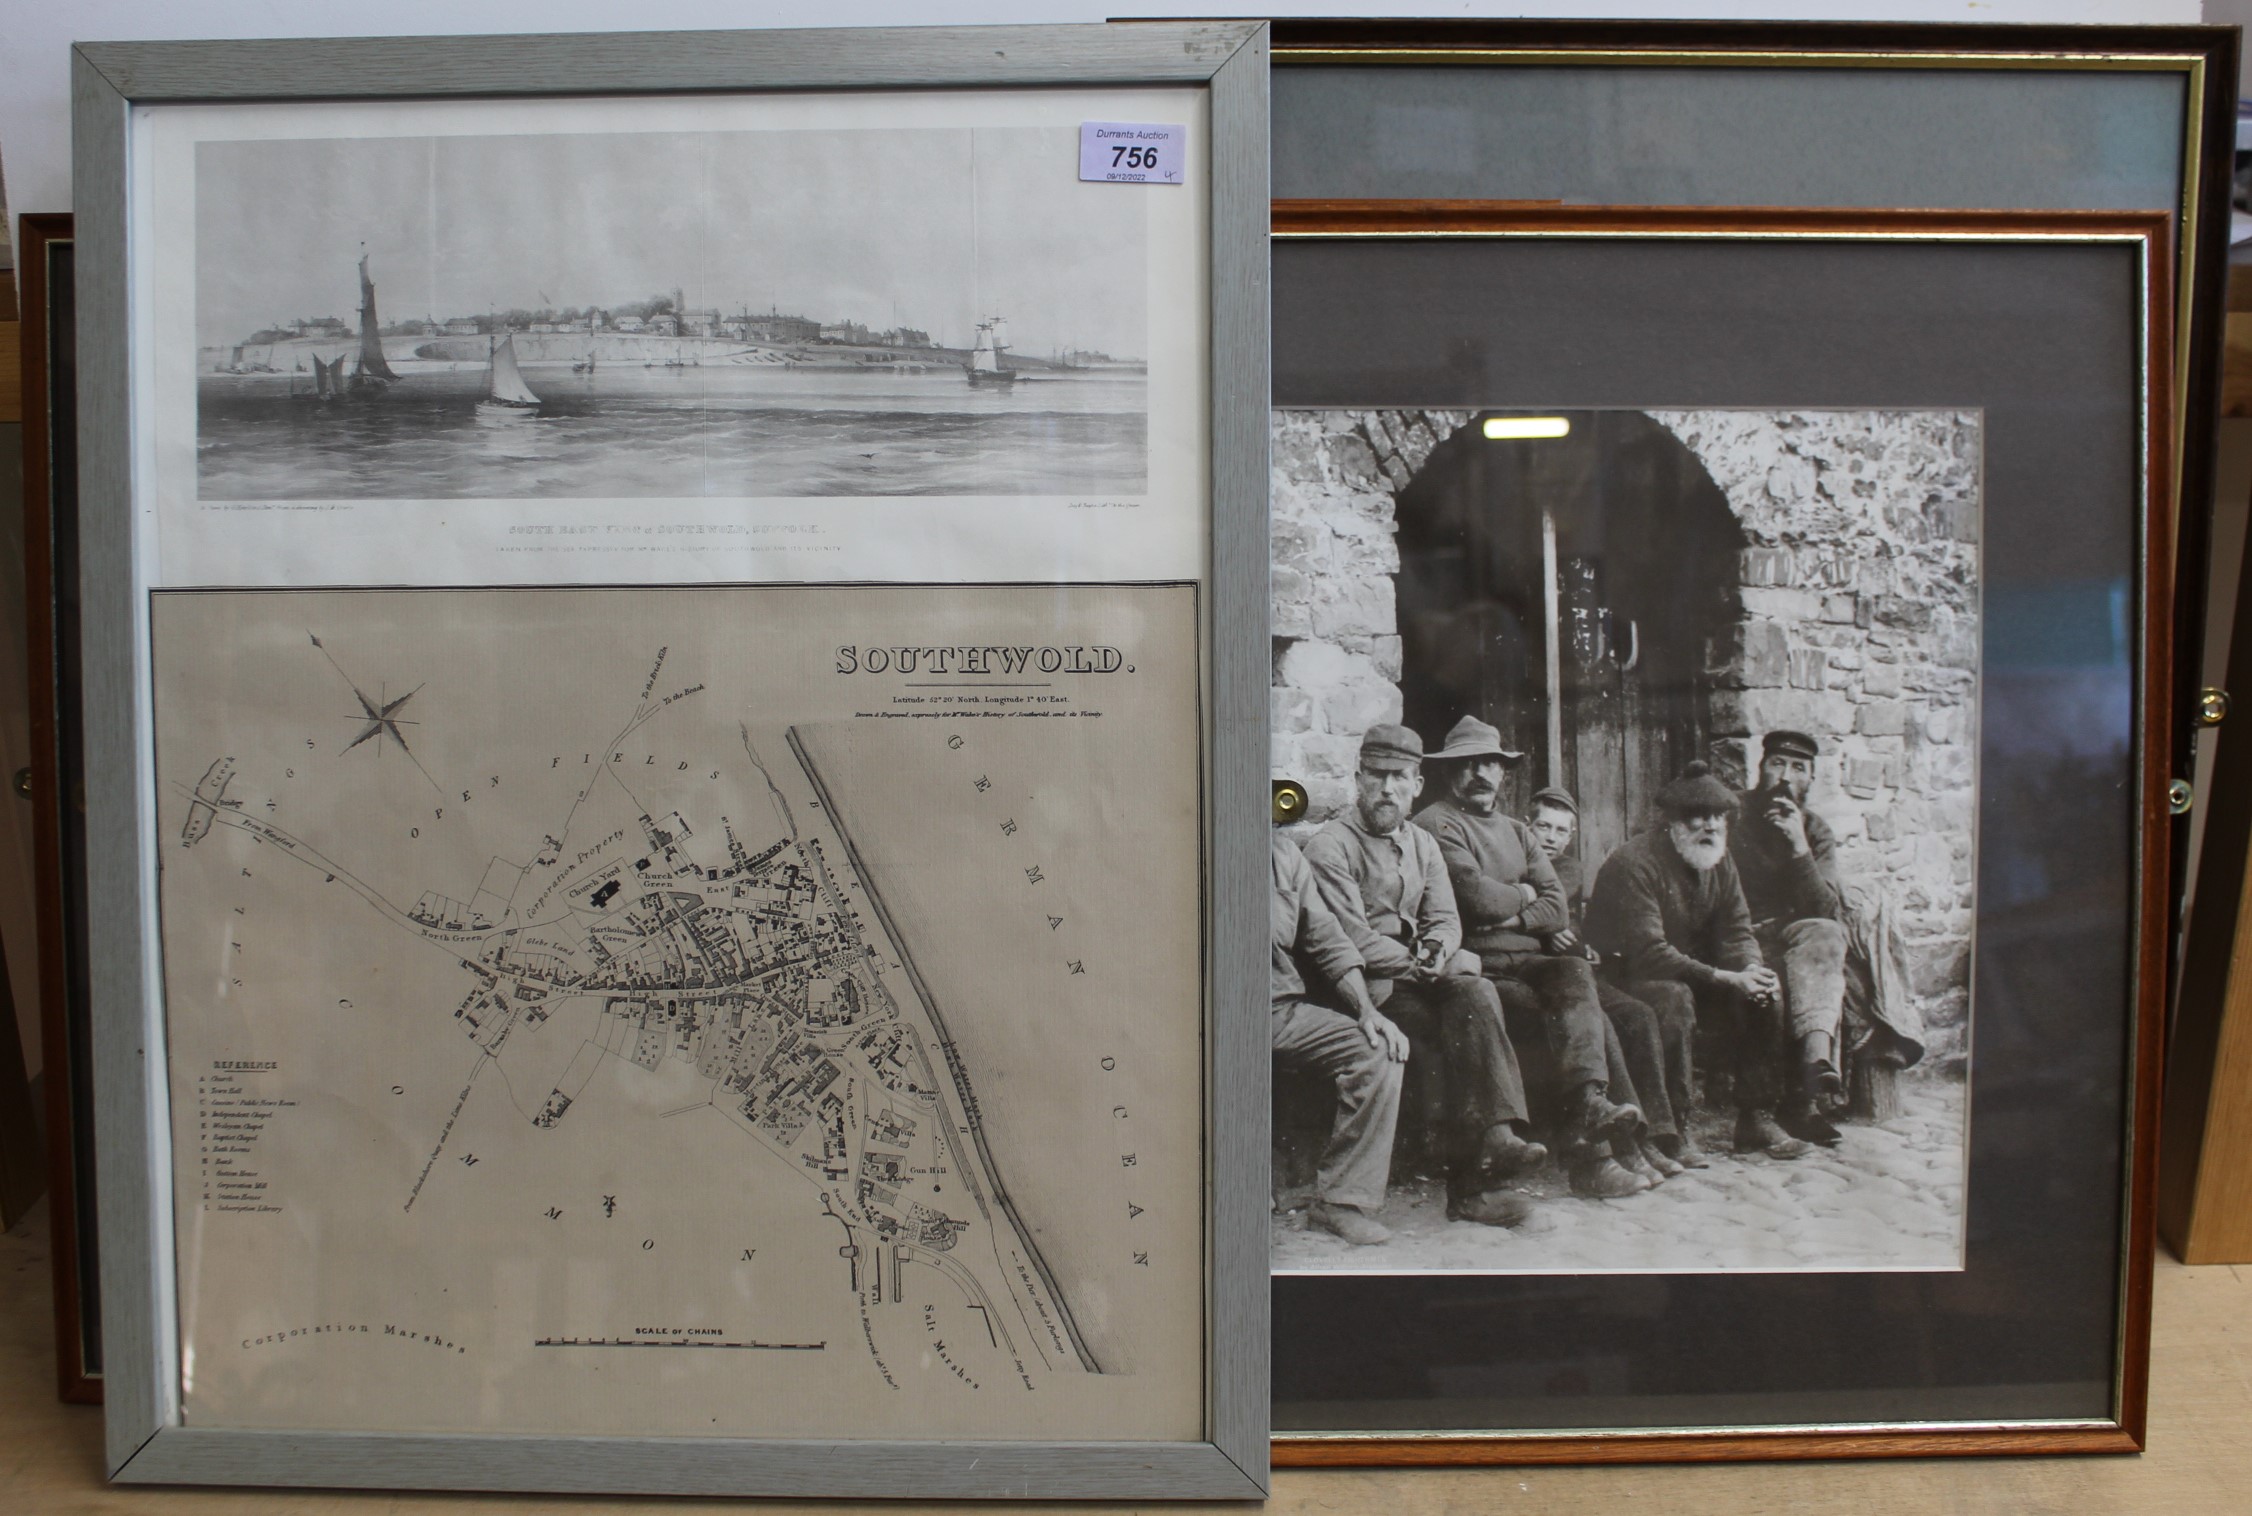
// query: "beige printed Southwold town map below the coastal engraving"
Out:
[740,1013]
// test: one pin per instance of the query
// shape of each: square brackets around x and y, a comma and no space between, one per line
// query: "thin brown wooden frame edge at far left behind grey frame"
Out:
[73,1380]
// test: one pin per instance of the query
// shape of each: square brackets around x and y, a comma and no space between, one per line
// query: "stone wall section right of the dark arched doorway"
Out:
[1859,623]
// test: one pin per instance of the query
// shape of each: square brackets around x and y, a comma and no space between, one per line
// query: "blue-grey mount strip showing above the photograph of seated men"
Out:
[1733,136]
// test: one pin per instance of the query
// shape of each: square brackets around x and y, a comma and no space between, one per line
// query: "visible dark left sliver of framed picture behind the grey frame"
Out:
[57,778]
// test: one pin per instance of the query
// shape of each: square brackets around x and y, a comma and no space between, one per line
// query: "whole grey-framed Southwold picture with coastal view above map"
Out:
[665,880]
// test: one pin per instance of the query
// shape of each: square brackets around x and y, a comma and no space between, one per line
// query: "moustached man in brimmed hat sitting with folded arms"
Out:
[1510,902]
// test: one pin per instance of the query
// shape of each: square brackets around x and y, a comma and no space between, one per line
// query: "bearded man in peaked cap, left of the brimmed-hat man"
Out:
[1386,884]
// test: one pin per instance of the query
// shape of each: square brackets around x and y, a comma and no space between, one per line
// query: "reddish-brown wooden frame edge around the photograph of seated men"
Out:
[2154,846]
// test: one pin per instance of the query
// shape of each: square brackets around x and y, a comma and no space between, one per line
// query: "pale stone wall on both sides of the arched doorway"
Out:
[1855,618]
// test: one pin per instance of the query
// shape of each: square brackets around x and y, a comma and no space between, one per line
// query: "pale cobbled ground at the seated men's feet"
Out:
[1886,1197]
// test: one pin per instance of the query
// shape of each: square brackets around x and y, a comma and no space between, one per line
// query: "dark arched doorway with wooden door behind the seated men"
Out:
[1645,551]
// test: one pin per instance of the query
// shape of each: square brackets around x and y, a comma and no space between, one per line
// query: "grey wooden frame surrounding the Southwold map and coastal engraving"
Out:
[148,1441]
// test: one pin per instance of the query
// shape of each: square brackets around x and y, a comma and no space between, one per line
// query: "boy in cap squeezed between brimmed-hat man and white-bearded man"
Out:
[1652,1064]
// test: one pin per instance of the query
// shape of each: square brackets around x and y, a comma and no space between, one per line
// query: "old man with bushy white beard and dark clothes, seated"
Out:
[1670,920]
